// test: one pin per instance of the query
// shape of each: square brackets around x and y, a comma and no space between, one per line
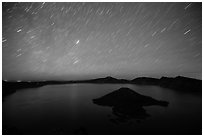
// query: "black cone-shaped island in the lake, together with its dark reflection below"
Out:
[127,104]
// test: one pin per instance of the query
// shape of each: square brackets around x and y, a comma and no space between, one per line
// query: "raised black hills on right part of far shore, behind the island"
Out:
[177,83]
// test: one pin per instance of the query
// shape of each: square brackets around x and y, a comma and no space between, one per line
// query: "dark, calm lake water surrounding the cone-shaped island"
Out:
[68,109]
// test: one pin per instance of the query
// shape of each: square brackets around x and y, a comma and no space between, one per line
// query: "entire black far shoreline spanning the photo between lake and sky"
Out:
[178,83]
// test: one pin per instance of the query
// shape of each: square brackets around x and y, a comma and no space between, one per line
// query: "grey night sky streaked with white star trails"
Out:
[70,41]
